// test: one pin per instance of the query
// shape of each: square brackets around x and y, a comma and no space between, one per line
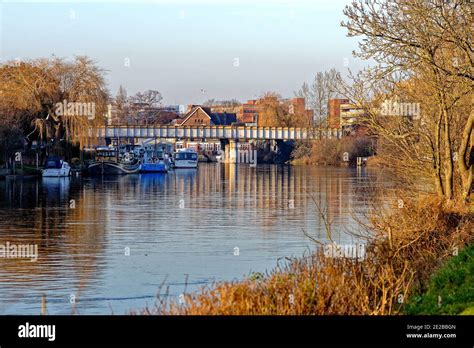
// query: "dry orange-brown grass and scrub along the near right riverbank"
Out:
[409,245]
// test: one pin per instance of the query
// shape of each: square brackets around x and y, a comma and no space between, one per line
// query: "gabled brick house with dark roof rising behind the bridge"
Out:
[202,116]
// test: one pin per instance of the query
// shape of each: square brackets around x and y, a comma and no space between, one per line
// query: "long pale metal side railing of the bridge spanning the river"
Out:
[219,132]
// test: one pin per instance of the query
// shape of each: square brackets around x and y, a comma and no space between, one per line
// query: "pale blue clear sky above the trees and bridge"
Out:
[190,51]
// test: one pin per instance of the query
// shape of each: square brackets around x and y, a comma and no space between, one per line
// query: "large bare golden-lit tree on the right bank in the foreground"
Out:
[424,54]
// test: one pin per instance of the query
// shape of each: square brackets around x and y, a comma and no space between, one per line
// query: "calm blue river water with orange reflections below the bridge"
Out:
[106,245]
